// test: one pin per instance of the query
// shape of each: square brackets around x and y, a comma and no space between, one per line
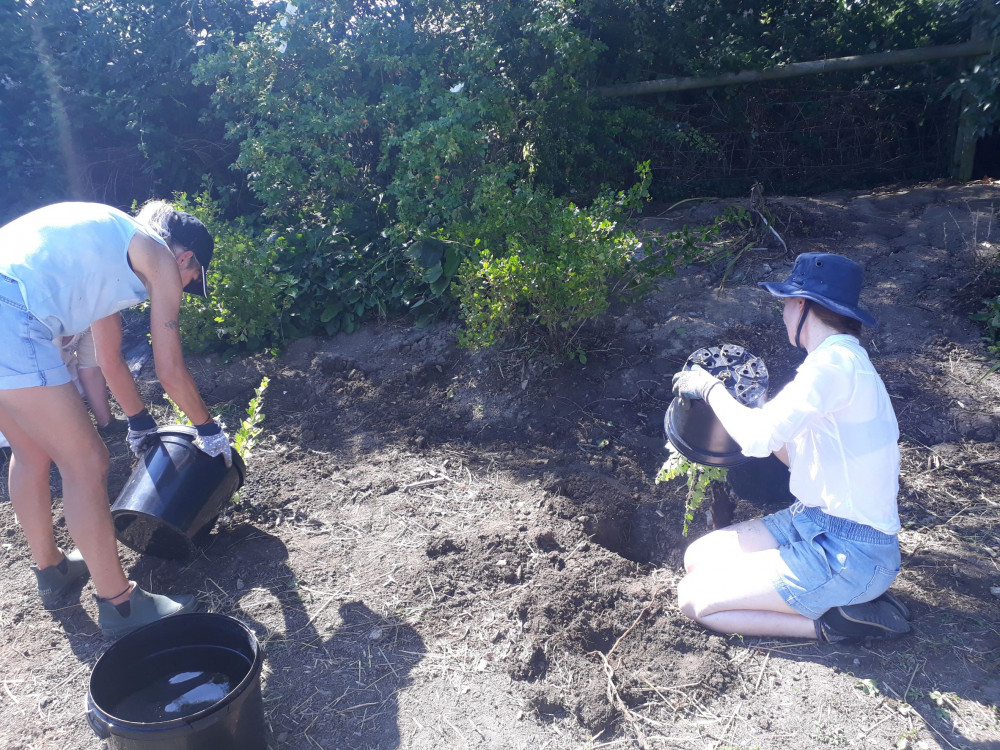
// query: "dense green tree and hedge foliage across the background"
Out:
[375,148]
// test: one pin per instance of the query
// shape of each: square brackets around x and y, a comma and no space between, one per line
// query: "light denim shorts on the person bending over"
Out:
[28,355]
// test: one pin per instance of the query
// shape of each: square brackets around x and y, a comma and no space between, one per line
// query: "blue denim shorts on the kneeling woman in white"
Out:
[829,561]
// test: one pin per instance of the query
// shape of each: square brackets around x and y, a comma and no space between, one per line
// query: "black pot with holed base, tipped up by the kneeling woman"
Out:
[691,425]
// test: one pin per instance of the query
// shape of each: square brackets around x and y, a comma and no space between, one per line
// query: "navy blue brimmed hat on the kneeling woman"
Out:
[827,279]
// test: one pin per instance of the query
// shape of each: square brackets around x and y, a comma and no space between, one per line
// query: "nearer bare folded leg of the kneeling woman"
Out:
[740,598]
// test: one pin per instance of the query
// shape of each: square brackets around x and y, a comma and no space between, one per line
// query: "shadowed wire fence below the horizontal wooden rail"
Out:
[802,141]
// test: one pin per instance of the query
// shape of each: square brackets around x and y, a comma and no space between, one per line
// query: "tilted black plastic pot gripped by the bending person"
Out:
[174,495]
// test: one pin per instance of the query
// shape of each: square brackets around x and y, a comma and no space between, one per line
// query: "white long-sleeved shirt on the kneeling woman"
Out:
[837,423]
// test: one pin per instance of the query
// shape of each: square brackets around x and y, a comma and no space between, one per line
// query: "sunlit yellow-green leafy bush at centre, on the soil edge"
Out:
[544,265]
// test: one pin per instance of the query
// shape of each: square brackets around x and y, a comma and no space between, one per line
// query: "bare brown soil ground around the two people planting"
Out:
[441,549]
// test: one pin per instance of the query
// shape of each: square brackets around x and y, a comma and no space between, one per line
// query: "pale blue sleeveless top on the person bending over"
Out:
[71,262]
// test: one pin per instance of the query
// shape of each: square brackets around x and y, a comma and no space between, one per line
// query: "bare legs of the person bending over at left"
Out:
[55,423]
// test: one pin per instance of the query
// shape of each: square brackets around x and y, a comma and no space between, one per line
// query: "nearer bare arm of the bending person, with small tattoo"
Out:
[156,267]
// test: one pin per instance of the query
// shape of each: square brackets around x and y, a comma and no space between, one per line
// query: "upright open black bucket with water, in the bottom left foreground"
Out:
[188,682]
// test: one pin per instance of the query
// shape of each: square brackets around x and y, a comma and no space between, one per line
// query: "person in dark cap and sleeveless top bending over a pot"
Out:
[63,268]
